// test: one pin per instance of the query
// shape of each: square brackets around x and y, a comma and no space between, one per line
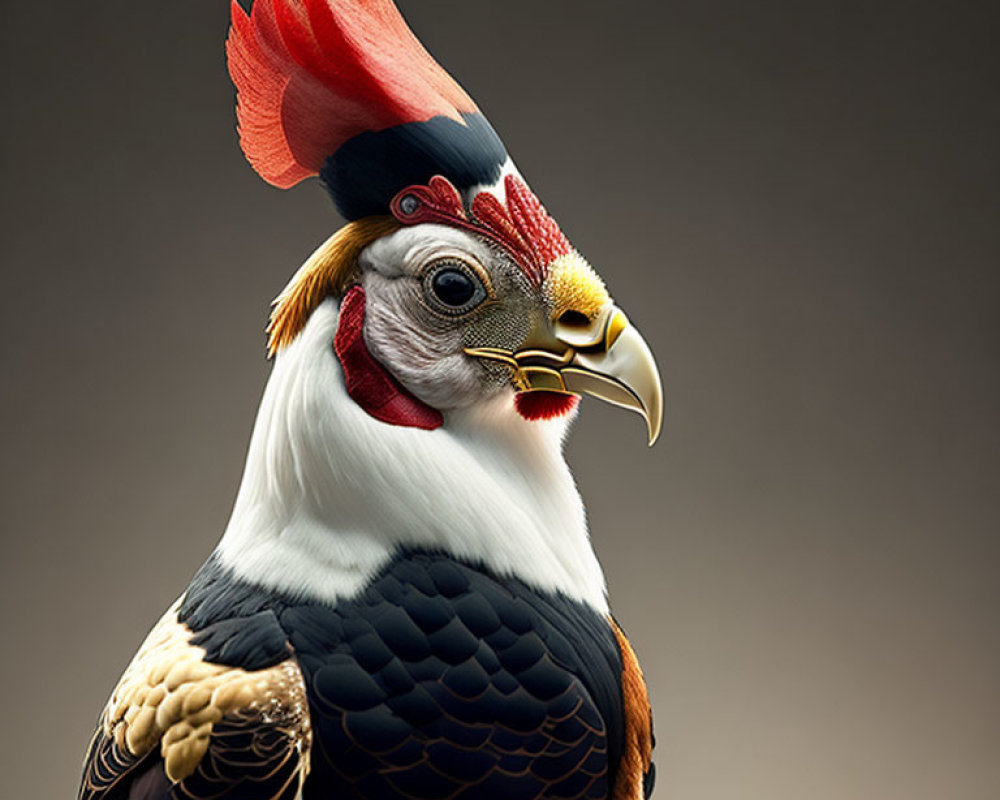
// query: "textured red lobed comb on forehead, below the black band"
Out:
[523,227]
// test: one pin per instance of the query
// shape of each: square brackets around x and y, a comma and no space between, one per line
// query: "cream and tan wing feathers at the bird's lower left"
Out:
[207,726]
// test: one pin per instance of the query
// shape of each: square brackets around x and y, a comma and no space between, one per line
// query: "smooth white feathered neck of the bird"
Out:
[330,494]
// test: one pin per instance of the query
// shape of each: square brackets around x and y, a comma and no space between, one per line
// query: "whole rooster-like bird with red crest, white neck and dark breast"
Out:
[405,602]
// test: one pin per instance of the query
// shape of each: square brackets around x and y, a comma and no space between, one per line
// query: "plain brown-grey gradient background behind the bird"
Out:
[796,202]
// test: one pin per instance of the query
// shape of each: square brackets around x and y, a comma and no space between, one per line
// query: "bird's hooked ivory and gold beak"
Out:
[604,357]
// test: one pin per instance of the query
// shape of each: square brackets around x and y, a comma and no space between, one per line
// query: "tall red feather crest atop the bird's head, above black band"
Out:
[311,74]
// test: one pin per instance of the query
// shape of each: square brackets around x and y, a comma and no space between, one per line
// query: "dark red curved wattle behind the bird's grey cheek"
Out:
[368,384]
